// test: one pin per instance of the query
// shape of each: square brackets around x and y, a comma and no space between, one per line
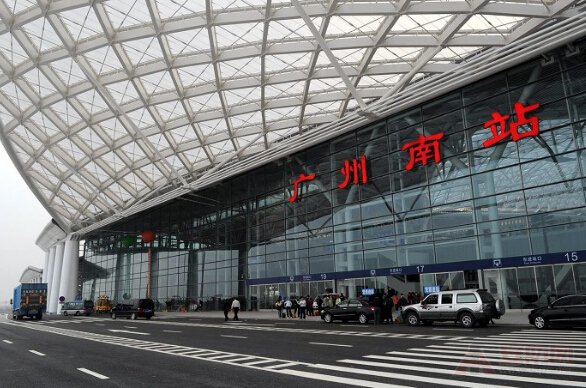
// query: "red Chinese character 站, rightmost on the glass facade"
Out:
[499,121]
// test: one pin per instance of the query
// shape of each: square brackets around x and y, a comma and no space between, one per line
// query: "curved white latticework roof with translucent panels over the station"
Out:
[106,106]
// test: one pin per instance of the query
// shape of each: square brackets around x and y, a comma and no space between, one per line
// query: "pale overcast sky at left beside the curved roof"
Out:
[23,218]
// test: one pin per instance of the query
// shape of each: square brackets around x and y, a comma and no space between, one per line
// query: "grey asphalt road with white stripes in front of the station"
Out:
[208,352]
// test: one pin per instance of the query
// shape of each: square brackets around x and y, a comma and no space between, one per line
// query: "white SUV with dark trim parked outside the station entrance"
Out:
[466,307]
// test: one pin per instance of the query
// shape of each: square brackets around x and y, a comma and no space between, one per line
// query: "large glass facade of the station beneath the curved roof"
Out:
[468,203]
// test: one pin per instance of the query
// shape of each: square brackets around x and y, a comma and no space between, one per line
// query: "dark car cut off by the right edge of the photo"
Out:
[568,311]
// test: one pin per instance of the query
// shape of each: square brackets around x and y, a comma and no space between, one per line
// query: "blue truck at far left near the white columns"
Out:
[30,300]
